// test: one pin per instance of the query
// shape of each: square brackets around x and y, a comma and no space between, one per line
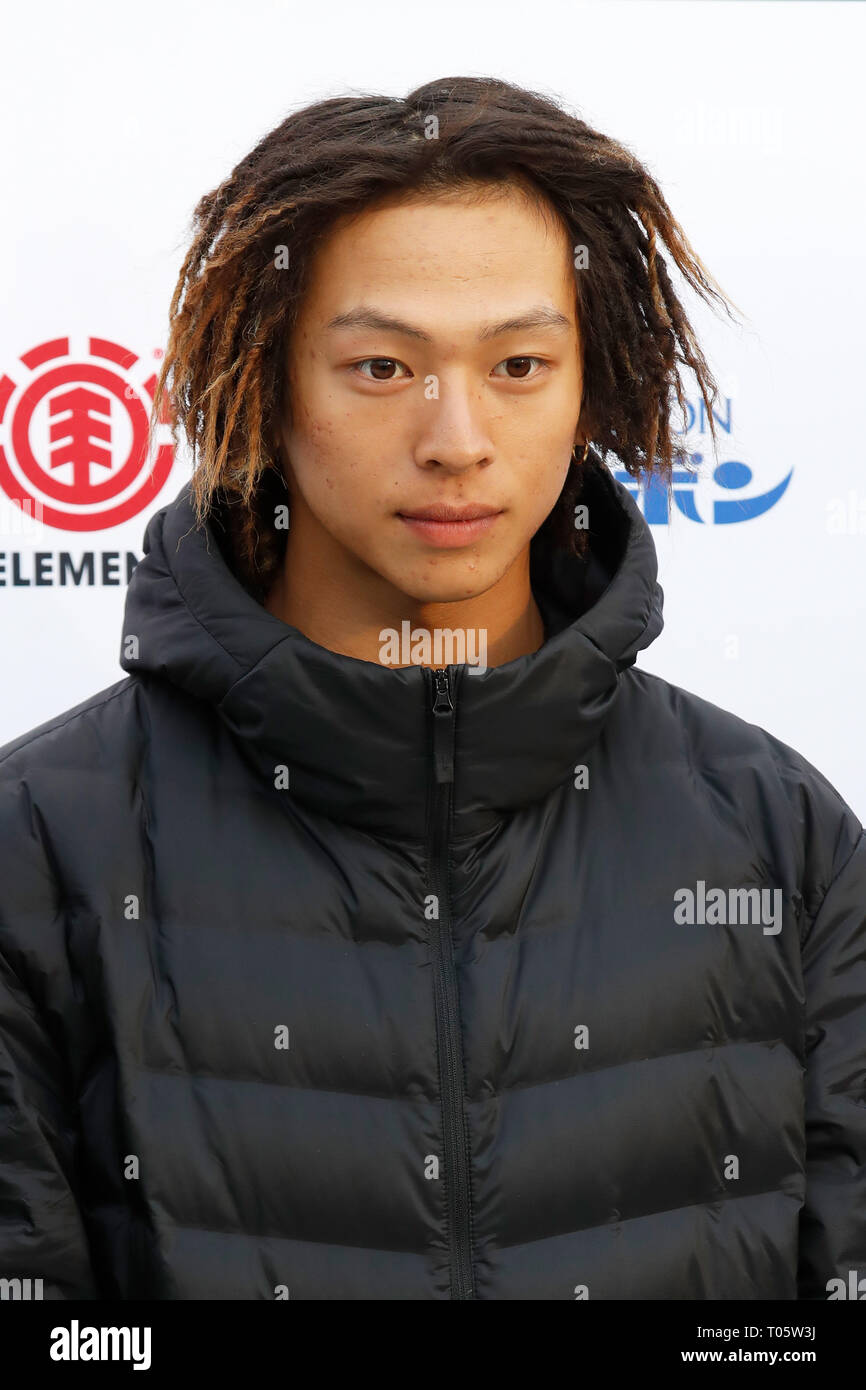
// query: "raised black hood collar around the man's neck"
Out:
[357,736]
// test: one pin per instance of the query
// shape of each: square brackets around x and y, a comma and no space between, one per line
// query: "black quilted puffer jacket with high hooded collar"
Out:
[430,1021]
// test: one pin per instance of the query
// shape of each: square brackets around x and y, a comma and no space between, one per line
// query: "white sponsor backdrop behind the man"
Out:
[750,115]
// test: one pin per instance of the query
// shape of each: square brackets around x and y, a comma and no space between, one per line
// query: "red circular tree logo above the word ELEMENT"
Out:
[74,437]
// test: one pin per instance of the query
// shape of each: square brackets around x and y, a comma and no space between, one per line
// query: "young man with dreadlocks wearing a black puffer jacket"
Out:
[343,961]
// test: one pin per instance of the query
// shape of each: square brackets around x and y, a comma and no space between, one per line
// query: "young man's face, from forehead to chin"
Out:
[462,411]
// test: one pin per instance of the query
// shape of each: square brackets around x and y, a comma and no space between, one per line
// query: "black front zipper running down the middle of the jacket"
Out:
[446,993]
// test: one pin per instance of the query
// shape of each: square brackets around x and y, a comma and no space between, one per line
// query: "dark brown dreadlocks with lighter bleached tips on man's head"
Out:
[223,379]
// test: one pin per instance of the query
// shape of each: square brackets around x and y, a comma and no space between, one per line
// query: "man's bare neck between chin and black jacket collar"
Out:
[341,604]
